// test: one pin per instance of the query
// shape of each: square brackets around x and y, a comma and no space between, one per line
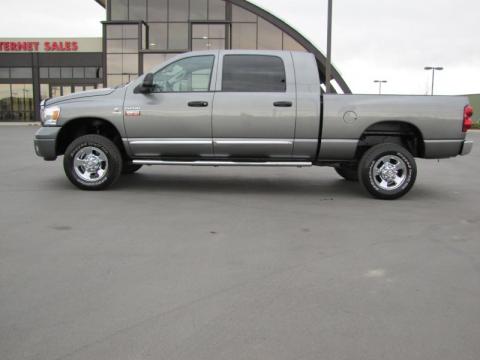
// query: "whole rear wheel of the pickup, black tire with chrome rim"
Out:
[380,175]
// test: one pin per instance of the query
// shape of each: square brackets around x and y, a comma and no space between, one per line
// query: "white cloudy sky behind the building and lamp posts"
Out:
[372,39]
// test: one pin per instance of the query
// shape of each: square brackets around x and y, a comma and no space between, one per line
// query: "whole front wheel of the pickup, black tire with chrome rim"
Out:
[105,155]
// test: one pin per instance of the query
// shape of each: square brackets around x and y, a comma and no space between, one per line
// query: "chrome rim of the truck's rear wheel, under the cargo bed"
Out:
[389,172]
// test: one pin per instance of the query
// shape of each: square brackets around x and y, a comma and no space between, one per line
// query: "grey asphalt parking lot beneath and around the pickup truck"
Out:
[236,263]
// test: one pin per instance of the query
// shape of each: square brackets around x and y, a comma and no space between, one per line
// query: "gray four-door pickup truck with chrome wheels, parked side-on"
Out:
[249,108]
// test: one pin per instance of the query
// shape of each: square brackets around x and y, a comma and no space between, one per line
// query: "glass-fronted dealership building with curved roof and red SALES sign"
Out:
[137,35]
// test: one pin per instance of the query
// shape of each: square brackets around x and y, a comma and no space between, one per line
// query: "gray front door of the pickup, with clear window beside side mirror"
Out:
[174,118]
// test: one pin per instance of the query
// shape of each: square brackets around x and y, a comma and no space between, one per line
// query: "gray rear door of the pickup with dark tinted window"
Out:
[254,108]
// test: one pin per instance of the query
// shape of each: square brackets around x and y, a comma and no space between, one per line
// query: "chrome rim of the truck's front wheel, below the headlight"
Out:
[90,164]
